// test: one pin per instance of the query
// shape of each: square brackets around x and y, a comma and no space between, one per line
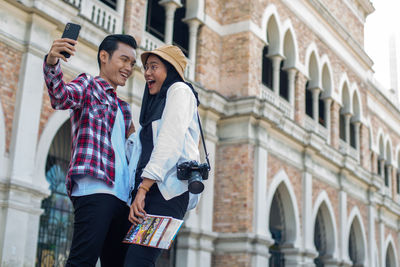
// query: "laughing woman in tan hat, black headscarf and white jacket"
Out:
[168,134]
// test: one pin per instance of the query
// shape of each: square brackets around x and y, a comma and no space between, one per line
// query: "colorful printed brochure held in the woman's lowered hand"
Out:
[156,231]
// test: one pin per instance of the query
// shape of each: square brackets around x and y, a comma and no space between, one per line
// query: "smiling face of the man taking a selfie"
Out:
[116,69]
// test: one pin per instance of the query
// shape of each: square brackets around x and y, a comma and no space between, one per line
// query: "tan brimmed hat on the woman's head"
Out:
[170,53]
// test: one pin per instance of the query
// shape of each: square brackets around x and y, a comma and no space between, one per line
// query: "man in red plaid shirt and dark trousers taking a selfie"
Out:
[97,180]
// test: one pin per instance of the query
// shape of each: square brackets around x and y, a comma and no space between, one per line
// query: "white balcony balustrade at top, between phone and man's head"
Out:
[99,13]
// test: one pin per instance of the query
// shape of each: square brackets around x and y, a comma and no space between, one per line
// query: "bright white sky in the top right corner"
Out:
[384,21]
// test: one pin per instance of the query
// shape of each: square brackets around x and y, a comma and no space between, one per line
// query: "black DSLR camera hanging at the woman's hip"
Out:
[194,174]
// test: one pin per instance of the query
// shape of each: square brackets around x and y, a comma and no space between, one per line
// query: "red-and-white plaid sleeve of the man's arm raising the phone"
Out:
[62,95]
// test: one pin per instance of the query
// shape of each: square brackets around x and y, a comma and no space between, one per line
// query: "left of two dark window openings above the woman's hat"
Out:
[155,20]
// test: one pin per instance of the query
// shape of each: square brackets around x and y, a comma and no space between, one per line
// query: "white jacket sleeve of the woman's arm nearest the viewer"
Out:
[177,115]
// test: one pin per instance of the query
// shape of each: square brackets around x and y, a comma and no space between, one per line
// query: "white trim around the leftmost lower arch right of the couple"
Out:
[282,178]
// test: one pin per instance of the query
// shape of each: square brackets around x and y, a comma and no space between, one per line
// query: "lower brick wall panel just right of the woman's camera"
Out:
[233,197]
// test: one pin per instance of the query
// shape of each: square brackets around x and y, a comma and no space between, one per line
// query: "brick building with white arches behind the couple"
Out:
[304,144]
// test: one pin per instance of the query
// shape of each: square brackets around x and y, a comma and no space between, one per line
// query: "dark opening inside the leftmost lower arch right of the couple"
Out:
[277,229]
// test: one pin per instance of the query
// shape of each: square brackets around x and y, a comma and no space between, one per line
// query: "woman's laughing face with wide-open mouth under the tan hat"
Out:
[155,73]
